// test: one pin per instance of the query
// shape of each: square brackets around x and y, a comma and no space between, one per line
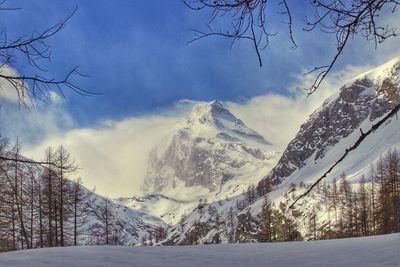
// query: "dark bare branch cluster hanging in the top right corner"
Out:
[346,19]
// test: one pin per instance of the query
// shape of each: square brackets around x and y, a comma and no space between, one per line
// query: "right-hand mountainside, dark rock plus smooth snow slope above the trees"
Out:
[338,123]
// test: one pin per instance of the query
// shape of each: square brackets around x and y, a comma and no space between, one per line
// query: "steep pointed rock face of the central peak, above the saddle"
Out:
[207,148]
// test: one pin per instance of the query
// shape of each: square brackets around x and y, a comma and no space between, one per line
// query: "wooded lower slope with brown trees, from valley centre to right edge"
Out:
[369,206]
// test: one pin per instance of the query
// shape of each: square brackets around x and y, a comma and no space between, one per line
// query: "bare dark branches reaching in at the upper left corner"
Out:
[33,49]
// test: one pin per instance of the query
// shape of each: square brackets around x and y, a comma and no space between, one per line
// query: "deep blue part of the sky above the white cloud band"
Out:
[136,55]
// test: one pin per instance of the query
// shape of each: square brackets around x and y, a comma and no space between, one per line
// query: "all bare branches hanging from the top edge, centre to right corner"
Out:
[345,20]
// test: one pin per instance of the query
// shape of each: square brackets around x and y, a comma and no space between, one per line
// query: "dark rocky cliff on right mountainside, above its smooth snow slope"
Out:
[369,96]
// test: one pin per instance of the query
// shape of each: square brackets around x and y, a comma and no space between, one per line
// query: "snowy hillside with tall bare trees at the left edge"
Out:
[91,214]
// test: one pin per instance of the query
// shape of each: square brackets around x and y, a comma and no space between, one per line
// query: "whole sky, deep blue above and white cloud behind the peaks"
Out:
[136,55]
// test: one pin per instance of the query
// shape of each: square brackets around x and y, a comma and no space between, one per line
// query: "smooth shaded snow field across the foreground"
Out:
[366,251]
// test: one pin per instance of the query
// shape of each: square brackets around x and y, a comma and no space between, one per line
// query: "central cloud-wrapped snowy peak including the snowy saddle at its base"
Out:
[209,155]
